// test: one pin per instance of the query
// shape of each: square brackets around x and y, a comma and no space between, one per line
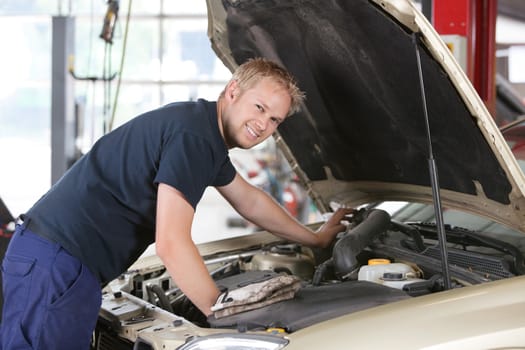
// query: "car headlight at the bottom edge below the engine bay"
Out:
[235,342]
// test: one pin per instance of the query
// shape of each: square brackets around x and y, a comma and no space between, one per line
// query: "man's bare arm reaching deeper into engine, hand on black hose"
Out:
[261,209]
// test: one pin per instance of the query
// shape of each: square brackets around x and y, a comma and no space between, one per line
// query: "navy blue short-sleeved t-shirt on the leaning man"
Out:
[103,209]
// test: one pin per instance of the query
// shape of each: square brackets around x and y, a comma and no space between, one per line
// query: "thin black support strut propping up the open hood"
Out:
[434,181]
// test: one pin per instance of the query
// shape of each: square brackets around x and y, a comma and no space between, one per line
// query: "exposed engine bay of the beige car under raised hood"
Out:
[375,261]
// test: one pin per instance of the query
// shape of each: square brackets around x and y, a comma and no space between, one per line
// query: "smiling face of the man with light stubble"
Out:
[250,117]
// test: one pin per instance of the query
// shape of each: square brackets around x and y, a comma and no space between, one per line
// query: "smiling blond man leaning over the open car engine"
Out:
[139,184]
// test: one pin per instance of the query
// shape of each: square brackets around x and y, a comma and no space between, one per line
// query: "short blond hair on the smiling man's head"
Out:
[248,74]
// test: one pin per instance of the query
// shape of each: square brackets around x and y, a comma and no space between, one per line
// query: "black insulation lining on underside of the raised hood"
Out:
[364,115]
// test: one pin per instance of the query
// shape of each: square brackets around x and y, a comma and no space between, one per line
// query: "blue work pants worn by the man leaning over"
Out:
[51,300]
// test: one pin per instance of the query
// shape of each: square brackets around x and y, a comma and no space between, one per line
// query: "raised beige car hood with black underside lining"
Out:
[361,136]
